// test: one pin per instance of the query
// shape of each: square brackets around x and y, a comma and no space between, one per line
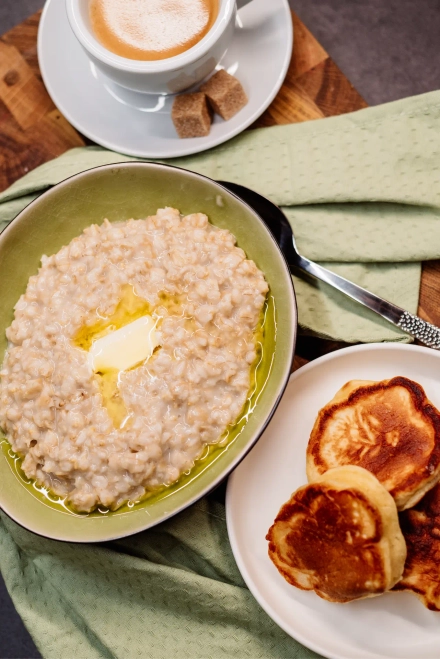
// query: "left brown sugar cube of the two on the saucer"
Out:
[191,115]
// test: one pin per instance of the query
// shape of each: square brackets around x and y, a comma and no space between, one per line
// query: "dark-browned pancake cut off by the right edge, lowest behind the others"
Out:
[421,530]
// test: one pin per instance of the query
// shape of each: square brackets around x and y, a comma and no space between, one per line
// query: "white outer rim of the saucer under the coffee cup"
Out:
[172,153]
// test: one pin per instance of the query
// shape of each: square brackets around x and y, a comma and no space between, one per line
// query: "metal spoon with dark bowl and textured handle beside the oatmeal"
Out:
[279,226]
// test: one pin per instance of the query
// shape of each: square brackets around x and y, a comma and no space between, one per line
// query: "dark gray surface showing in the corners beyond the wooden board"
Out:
[387,48]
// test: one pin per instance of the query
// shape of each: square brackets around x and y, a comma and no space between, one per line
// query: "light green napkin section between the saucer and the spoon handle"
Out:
[361,192]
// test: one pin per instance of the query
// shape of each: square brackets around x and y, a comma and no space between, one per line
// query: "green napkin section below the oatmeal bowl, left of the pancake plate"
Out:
[172,591]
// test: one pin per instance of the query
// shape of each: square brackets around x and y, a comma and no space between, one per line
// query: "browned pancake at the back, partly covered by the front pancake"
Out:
[389,428]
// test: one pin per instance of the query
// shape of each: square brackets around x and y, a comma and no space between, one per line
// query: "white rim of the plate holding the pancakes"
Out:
[235,476]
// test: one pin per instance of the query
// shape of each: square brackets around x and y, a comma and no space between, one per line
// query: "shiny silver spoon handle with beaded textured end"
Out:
[413,325]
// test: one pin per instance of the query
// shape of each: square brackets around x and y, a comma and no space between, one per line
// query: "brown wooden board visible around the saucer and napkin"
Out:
[33,131]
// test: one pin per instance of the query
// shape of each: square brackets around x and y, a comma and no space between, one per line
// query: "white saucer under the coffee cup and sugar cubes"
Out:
[259,55]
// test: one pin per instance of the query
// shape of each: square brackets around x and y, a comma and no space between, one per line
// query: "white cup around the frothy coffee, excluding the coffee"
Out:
[166,76]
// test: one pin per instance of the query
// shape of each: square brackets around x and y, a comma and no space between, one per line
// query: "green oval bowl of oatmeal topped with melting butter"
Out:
[146,338]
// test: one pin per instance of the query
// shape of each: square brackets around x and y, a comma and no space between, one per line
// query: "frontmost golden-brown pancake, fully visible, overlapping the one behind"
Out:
[339,536]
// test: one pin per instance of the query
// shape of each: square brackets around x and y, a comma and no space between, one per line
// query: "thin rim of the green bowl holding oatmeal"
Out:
[280,388]
